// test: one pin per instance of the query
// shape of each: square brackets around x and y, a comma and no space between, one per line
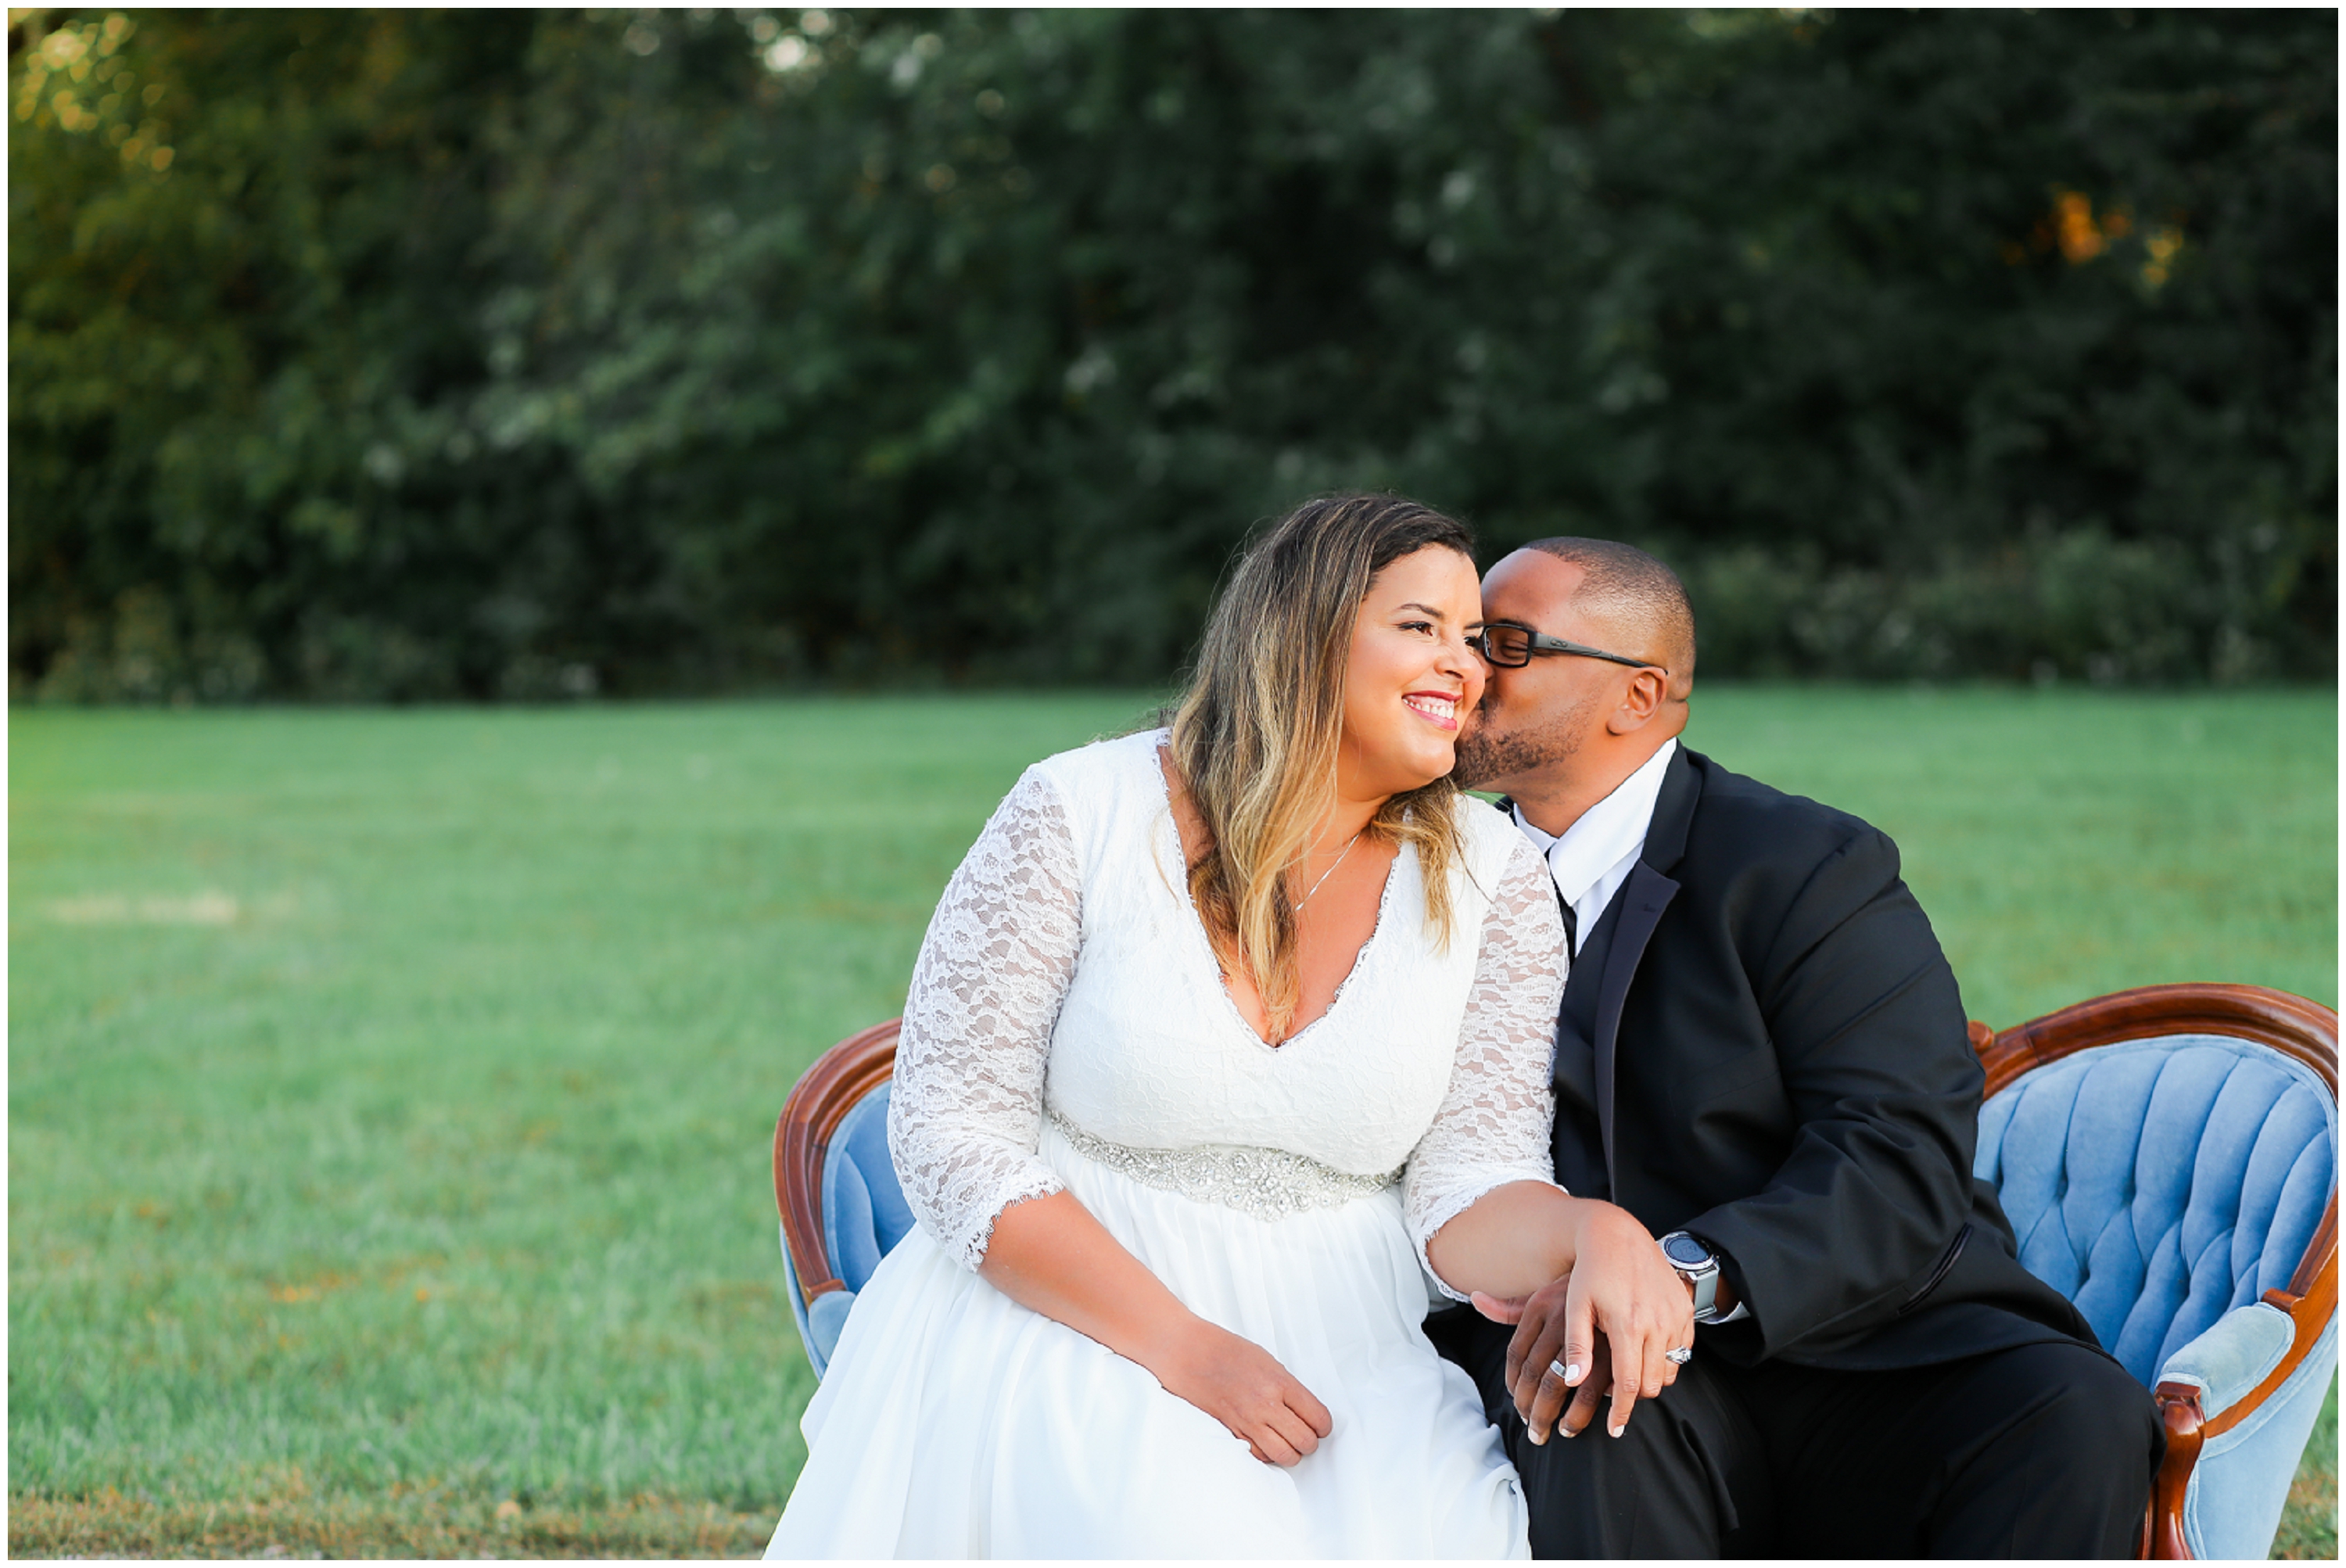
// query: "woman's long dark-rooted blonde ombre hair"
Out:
[1256,736]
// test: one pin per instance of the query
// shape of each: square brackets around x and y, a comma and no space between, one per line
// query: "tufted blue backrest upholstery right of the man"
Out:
[2162,1184]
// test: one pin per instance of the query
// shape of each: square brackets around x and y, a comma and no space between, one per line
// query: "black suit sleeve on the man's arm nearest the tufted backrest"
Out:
[1885,1093]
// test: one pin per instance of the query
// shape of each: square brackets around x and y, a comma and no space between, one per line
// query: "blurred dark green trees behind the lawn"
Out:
[402,356]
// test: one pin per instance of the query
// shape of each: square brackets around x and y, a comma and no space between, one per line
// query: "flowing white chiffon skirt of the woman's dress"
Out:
[958,1424]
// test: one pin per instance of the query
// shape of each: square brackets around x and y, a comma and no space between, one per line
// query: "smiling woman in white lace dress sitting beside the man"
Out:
[1223,1041]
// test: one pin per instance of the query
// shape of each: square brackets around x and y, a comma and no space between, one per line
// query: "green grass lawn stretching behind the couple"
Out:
[391,1093]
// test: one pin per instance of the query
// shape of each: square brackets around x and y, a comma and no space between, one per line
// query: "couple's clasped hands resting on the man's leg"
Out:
[1622,1290]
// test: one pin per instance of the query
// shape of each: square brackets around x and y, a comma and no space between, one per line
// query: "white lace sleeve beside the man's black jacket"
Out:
[1500,1109]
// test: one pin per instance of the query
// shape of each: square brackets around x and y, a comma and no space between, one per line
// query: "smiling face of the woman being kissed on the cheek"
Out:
[1411,680]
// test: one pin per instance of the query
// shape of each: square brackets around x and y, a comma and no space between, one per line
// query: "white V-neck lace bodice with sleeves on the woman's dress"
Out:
[1066,968]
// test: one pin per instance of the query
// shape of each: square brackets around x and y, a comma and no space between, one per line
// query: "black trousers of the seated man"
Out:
[2030,1452]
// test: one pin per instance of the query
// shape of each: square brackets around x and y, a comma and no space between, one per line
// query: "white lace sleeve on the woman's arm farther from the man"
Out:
[965,1116]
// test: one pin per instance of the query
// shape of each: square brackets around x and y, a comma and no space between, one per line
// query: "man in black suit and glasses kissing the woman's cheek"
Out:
[1763,1057]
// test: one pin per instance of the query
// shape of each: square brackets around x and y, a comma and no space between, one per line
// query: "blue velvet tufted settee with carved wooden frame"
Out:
[2167,1156]
